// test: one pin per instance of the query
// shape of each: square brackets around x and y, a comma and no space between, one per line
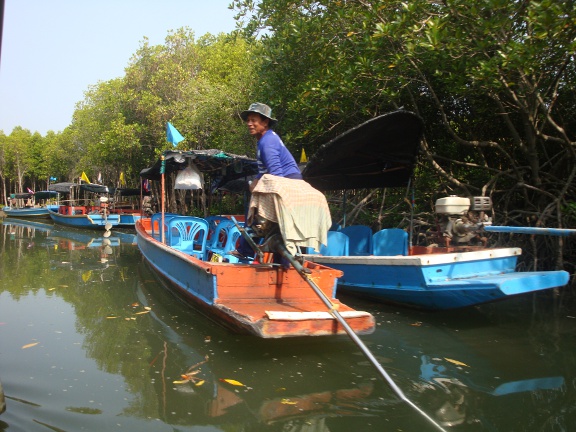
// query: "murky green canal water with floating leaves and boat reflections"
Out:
[108,346]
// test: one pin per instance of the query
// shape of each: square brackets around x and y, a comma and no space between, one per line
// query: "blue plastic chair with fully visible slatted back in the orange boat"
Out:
[188,234]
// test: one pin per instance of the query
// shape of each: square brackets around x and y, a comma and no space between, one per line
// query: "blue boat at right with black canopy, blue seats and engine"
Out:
[382,266]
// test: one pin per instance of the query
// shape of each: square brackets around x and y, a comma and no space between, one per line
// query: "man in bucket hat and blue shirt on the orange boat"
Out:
[272,155]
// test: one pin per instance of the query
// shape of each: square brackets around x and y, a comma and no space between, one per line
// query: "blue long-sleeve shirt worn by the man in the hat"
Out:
[274,158]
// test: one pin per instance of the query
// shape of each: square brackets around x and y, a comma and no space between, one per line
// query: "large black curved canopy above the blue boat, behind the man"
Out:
[378,153]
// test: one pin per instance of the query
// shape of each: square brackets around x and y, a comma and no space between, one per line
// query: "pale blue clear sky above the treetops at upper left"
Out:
[53,50]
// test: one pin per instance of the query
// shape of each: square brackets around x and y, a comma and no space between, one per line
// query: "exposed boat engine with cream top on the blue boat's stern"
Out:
[463,218]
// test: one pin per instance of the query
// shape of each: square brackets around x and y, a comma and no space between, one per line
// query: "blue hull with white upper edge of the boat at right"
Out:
[440,281]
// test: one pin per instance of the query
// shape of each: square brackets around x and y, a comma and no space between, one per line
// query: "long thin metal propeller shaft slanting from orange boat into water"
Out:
[280,247]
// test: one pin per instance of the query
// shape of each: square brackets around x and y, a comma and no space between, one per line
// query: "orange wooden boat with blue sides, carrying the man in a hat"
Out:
[265,299]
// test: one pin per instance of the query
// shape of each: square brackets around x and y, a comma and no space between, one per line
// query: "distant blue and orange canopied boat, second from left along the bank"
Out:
[86,206]
